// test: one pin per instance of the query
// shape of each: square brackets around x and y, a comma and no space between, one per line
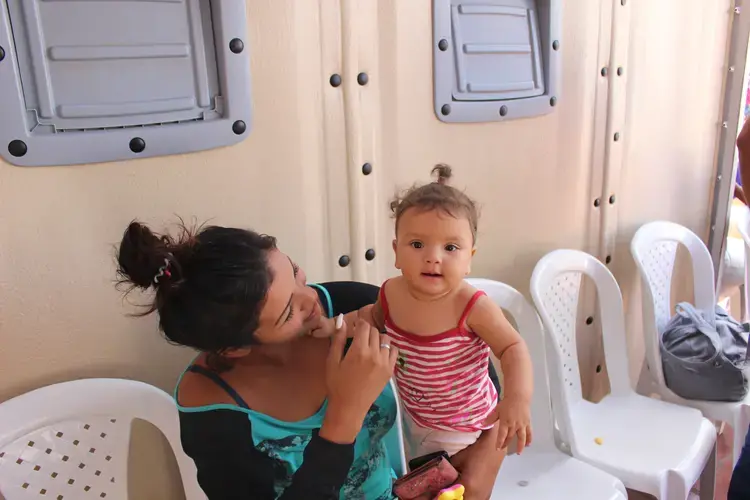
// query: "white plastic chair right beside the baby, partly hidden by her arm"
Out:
[542,472]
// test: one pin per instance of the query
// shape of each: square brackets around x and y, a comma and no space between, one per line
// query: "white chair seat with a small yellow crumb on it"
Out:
[639,439]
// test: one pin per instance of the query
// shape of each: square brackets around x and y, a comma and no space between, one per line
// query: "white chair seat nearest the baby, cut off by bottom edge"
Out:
[553,475]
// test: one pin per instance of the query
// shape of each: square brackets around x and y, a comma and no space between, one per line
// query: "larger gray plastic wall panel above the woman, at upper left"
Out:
[105,80]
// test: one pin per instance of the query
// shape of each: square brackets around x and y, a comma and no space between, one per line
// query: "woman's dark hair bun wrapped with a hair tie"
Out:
[142,254]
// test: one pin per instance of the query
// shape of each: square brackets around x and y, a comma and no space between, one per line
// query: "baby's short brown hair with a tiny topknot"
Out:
[438,195]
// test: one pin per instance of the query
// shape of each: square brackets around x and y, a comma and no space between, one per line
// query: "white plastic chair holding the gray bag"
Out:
[654,247]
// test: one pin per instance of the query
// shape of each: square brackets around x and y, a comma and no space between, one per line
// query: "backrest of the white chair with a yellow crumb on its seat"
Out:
[555,286]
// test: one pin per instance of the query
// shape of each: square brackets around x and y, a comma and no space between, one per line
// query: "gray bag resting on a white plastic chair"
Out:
[704,356]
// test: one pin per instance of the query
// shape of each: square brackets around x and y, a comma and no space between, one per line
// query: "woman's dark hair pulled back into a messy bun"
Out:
[210,283]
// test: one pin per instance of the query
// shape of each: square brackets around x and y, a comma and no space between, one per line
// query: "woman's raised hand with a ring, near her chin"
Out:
[354,381]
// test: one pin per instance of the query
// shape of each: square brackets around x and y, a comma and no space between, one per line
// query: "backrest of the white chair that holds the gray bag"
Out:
[654,248]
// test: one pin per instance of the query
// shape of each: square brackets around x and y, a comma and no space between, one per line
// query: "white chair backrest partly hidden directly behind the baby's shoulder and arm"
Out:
[530,328]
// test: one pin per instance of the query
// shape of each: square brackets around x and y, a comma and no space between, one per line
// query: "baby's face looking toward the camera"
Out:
[433,250]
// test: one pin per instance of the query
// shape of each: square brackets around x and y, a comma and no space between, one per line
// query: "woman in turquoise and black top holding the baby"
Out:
[266,409]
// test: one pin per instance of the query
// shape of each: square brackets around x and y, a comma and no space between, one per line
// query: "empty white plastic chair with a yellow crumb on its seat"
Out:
[652,446]
